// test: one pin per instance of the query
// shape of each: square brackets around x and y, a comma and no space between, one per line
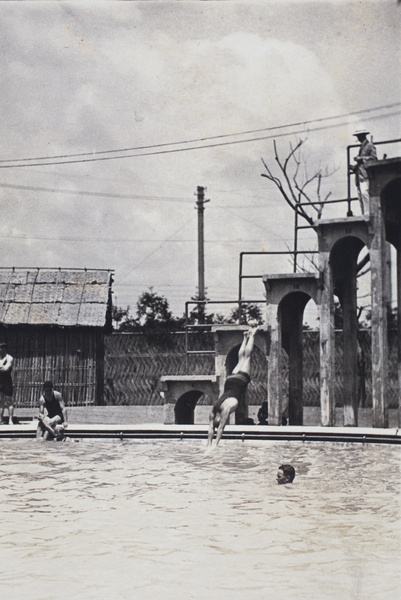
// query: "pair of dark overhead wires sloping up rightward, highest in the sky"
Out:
[26,162]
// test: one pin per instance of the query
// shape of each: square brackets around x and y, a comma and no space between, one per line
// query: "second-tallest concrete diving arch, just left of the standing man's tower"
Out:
[340,243]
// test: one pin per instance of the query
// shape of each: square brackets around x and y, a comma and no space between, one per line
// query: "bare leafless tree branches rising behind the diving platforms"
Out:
[293,190]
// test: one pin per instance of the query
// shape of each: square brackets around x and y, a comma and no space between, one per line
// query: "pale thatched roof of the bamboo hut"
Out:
[63,297]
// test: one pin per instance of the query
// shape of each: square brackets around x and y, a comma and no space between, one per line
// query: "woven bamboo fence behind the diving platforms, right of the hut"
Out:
[134,364]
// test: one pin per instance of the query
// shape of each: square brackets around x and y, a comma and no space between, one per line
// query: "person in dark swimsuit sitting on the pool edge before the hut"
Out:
[52,414]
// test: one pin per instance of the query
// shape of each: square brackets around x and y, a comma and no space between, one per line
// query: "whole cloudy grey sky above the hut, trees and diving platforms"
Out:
[112,113]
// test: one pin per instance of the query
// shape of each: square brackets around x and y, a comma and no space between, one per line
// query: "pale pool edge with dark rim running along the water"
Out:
[233,432]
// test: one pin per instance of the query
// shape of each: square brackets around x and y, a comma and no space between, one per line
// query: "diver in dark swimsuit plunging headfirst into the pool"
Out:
[234,389]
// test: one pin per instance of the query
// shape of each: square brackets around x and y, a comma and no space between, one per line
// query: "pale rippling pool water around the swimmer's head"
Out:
[105,519]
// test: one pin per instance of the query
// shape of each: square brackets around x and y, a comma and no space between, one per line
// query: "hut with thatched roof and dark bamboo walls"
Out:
[54,322]
